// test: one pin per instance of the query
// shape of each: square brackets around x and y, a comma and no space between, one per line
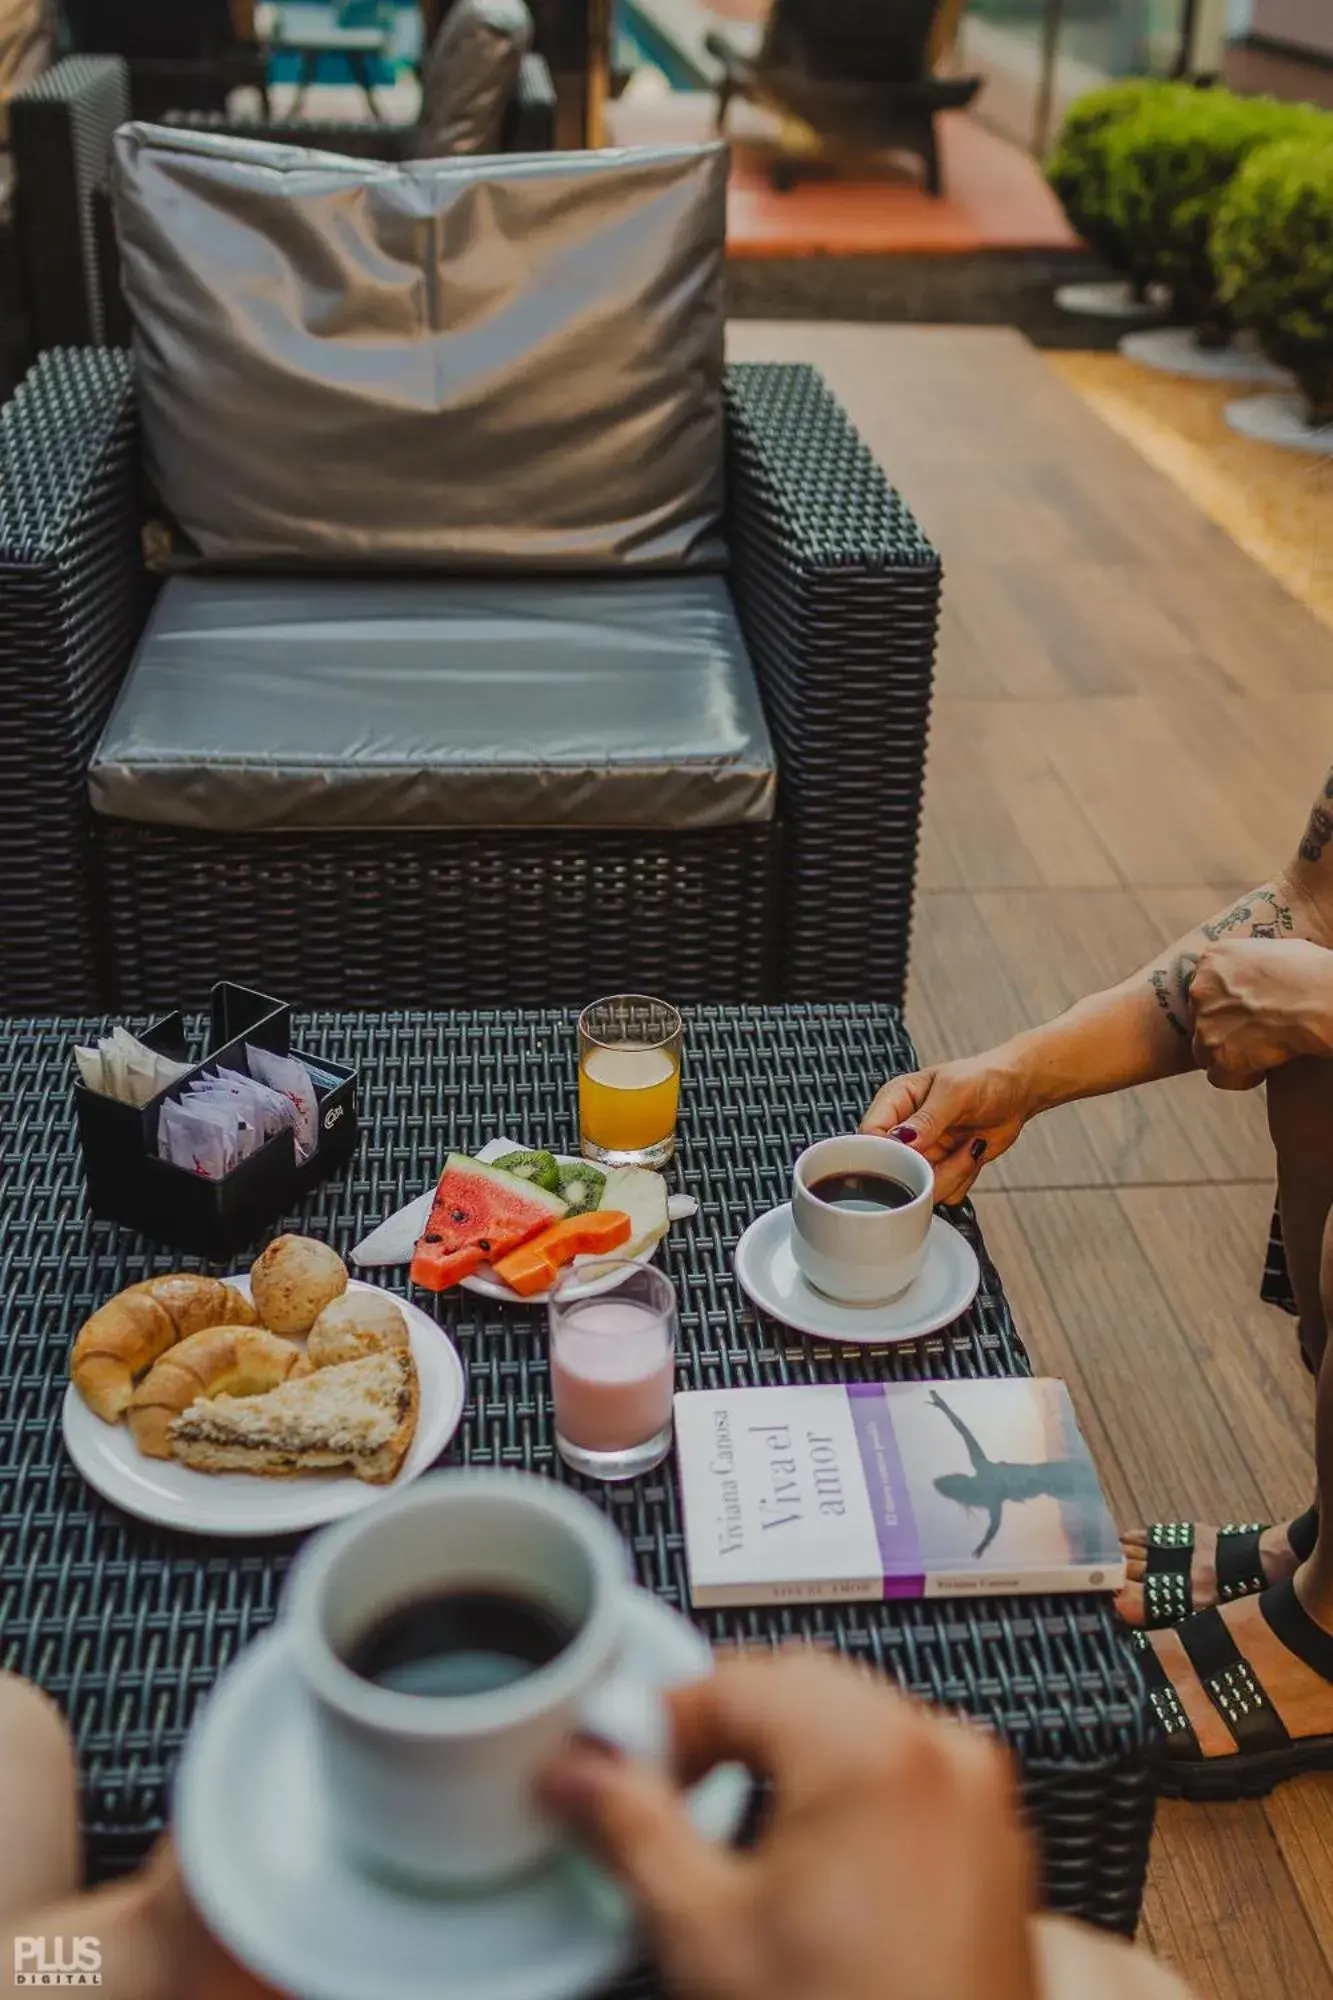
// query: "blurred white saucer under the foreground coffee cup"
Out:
[269,1877]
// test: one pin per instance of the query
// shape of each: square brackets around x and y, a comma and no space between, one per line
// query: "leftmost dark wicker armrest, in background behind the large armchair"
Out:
[61,133]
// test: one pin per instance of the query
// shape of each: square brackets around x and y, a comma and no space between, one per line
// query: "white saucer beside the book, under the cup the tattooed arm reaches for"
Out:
[944,1291]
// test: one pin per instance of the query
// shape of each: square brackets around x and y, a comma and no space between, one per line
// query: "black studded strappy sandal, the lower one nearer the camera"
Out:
[1266,1751]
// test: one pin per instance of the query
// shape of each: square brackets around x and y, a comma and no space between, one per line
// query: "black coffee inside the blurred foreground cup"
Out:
[459,1643]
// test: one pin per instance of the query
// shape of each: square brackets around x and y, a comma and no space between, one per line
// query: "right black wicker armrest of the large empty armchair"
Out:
[840,599]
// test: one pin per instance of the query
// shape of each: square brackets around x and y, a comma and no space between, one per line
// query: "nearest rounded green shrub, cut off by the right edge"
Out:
[1274,257]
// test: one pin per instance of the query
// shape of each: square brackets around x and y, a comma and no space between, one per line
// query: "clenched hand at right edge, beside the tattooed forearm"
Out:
[1258,1003]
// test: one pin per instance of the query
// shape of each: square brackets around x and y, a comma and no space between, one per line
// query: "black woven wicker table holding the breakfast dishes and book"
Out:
[129,1627]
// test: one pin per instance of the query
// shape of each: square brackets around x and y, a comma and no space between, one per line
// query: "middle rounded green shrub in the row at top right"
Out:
[1170,165]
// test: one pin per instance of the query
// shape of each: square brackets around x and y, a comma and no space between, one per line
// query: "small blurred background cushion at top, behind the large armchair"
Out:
[471,77]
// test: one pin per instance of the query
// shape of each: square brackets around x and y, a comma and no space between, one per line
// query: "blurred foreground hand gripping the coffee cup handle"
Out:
[892,1865]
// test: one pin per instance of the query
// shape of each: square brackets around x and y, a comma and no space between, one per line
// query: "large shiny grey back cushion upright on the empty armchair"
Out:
[453,365]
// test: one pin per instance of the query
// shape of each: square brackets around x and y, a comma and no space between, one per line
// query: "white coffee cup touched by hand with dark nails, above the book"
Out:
[862,1257]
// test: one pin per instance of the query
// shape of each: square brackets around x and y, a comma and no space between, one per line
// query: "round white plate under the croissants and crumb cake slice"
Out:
[243,1503]
